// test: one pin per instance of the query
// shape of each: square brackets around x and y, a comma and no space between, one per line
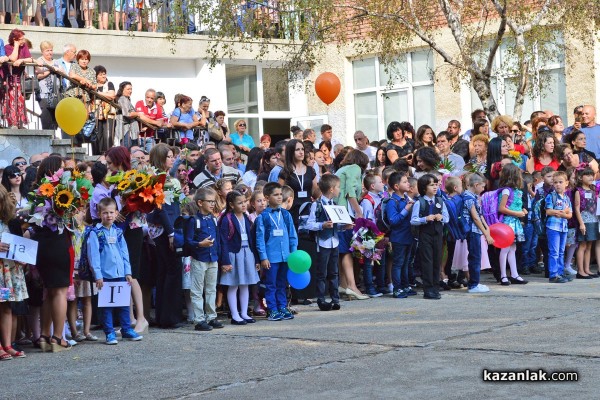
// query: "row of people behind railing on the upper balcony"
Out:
[144,15]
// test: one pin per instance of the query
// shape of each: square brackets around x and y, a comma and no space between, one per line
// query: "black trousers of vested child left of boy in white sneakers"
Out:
[430,255]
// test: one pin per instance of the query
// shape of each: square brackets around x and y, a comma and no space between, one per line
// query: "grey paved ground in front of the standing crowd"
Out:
[379,348]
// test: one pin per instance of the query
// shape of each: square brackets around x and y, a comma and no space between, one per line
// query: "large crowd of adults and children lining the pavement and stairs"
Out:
[241,208]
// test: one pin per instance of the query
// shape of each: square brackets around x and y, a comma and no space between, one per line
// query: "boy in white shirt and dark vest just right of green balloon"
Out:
[326,232]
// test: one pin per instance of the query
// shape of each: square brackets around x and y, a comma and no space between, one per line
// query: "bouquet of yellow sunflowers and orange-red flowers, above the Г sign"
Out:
[140,190]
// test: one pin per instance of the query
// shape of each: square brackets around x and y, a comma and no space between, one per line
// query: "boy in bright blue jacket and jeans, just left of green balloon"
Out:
[276,238]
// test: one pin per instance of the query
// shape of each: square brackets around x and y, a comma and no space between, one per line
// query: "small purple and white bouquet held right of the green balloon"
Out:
[367,242]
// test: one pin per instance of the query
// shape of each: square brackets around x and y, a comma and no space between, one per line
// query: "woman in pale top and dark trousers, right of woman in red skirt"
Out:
[49,86]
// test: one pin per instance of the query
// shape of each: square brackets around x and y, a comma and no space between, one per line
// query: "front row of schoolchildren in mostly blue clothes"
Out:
[232,246]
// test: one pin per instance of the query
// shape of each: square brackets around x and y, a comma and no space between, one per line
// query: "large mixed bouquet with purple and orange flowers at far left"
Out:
[57,200]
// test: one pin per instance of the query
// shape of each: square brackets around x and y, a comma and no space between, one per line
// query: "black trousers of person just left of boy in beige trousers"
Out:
[169,294]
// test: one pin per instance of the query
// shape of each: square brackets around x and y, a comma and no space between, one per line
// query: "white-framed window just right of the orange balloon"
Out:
[400,90]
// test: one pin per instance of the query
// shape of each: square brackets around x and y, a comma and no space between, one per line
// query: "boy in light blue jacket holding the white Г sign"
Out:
[108,256]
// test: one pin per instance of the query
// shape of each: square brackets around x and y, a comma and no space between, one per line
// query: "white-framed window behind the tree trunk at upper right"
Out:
[547,87]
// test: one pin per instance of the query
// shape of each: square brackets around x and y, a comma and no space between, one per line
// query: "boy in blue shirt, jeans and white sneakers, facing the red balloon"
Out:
[471,212]
